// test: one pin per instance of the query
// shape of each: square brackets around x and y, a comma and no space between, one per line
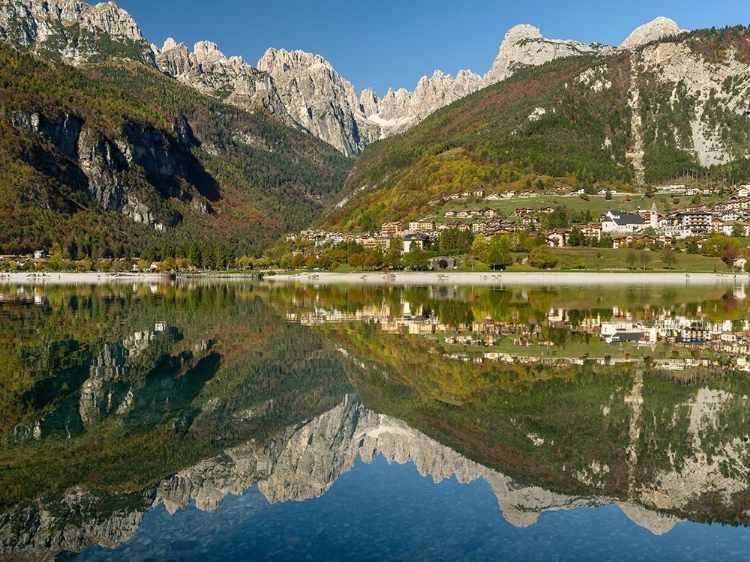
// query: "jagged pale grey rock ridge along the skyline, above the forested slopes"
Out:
[299,89]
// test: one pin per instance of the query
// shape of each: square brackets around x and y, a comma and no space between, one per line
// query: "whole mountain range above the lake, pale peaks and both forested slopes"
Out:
[547,110]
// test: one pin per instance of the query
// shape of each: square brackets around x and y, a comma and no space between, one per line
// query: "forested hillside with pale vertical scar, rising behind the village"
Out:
[625,120]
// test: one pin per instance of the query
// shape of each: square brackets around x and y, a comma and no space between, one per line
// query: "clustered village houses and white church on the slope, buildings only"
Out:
[648,226]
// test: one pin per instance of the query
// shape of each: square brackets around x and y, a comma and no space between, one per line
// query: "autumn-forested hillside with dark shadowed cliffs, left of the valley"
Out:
[110,159]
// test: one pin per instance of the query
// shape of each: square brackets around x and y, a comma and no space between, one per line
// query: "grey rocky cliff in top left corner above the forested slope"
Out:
[72,30]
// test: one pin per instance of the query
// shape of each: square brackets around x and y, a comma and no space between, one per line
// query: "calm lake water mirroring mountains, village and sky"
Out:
[234,421]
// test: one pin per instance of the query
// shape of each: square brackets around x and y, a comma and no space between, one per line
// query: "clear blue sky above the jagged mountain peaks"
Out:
[392,43]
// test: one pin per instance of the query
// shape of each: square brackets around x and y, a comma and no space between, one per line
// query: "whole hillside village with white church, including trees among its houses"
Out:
[643,228]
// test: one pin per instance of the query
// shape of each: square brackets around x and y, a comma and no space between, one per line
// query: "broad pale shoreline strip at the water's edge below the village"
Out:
[513,278]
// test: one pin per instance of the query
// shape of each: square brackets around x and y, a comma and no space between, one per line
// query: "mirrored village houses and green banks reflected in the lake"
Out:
[646,321]
